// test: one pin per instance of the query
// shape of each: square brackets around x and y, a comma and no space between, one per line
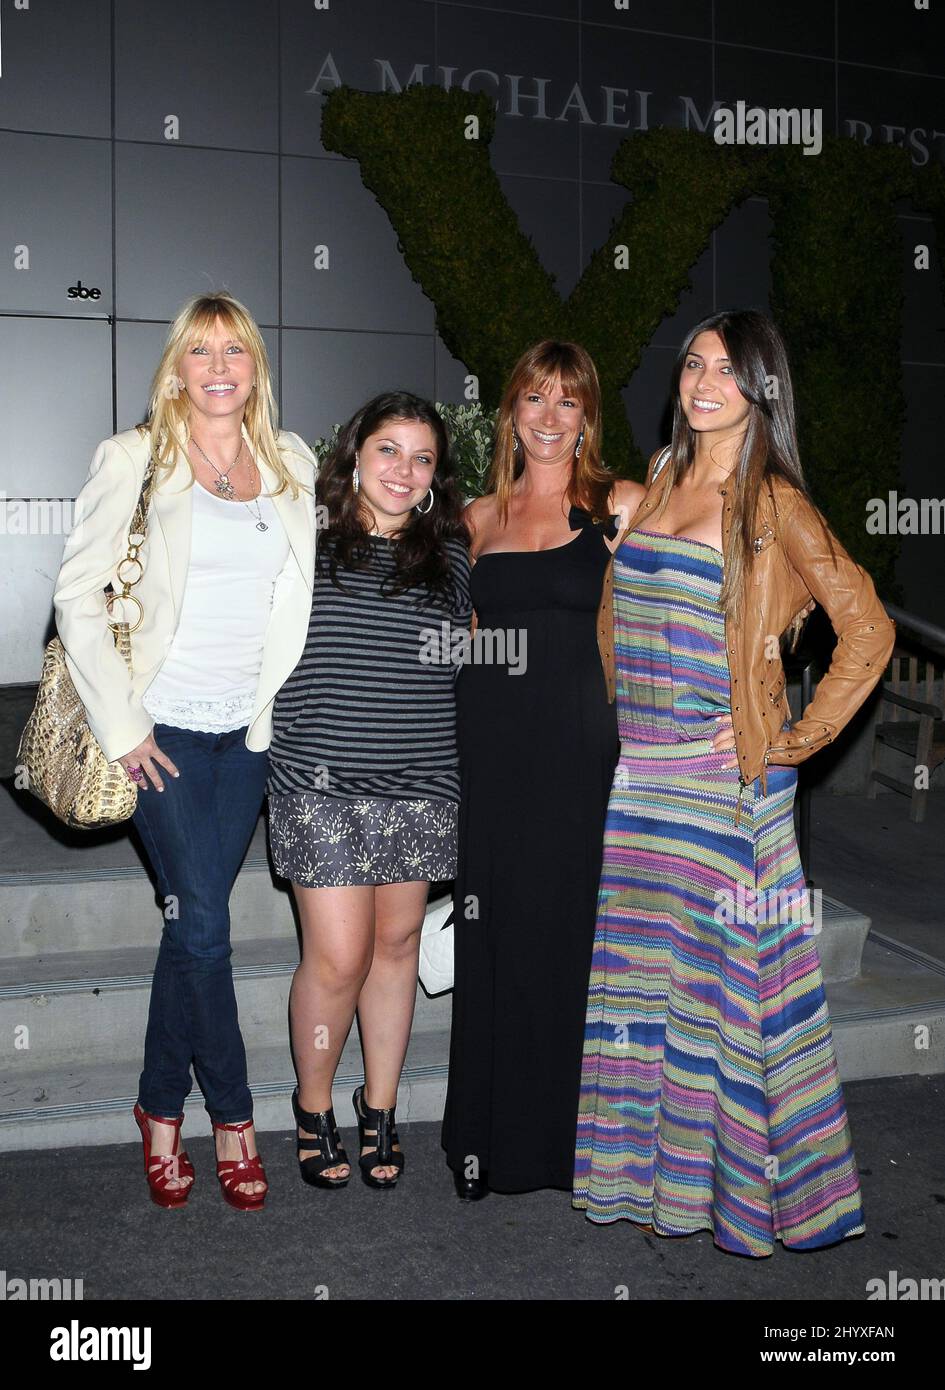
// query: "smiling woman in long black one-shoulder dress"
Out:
[539,746]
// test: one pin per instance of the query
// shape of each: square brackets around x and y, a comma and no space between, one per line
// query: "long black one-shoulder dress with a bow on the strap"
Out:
[537,753]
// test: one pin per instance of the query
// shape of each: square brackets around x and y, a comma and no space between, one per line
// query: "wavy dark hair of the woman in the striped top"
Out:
[420,555]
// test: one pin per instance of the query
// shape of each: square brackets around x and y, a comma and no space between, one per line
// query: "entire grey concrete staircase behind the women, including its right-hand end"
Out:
[81,926]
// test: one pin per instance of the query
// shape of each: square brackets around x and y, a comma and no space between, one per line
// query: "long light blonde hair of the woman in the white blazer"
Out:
[169,411]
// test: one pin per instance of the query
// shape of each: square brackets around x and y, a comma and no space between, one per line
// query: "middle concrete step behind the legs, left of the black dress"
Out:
[95,1004]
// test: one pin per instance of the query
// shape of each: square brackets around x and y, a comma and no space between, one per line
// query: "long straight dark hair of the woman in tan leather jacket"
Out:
[759,363]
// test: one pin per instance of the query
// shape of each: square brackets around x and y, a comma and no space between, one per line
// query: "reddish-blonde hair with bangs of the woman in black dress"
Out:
[540,365]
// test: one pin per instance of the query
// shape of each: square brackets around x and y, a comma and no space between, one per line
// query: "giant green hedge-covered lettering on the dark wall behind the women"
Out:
[836,270]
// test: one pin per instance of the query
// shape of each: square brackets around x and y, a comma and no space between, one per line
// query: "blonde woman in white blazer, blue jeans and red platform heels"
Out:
[226,594]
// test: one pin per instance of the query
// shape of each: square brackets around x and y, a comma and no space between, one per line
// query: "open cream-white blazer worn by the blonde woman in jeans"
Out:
[98,544]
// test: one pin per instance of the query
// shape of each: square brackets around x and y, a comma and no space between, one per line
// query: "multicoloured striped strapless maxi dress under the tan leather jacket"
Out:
[709,1090]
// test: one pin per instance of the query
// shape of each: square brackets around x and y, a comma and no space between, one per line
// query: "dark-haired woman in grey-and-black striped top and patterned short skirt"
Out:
[365,772]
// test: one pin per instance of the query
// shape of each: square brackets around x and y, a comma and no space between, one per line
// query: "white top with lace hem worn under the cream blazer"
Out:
[209,679]
